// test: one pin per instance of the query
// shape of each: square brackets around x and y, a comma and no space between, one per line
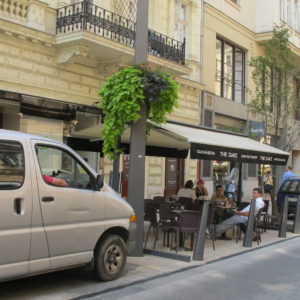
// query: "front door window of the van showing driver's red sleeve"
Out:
[59,168]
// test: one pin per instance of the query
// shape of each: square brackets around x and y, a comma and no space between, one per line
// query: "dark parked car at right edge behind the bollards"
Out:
[290,188]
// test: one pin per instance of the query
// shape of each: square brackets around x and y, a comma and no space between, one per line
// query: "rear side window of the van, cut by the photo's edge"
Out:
[12,168]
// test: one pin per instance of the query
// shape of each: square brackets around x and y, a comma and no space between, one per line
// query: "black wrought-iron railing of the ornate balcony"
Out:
[84,16]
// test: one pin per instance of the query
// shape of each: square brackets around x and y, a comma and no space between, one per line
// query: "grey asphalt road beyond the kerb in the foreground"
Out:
[269,273]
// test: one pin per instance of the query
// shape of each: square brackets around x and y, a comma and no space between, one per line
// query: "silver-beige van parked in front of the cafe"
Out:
[56,213]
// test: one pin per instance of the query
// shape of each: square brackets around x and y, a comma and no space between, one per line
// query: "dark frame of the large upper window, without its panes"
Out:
[233,79]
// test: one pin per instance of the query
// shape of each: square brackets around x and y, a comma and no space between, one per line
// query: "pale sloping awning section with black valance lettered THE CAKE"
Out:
[216,145]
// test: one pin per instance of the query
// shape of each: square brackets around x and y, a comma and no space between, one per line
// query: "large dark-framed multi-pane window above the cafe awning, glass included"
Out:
[230,70]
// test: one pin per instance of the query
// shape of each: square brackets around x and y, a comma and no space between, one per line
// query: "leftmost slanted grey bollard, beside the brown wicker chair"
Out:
[200,239]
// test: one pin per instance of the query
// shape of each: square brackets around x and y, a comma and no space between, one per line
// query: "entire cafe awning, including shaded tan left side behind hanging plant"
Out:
[173,138]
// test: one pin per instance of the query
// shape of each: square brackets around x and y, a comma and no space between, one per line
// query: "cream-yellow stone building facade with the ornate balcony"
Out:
[55,55]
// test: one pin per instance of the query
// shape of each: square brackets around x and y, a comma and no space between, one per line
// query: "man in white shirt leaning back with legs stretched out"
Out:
[241,216]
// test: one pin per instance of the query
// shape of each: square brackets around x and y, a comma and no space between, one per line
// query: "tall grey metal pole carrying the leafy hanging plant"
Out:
[136,175]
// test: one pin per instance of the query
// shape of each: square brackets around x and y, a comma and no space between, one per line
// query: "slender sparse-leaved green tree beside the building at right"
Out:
[276,96]
